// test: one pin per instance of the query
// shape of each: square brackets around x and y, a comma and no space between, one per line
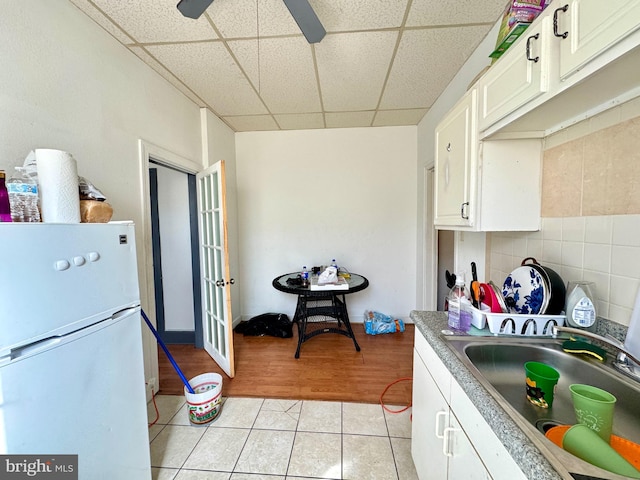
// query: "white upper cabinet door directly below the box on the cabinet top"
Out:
[520,75]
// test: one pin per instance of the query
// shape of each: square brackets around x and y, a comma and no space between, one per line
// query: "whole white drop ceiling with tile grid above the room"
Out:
[382,62]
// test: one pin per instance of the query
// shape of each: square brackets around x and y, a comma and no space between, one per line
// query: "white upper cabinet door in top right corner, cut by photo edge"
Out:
[592,26]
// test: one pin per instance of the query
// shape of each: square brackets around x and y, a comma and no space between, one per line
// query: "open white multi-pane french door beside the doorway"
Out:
[217,319]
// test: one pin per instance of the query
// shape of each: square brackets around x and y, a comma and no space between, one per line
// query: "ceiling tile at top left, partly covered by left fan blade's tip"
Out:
[156,21]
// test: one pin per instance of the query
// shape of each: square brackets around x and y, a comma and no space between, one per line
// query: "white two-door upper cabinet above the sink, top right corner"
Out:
[577,59]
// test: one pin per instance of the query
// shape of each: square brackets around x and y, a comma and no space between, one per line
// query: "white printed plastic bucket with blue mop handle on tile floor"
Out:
[205,404]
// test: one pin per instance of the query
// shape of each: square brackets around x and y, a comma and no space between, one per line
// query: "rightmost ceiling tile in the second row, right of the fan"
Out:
[426,62]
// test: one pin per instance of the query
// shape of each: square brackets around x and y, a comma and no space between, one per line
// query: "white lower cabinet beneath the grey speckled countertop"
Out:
[449,437]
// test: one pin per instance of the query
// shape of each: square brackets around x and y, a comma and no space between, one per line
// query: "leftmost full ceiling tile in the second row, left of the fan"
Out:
[212,74]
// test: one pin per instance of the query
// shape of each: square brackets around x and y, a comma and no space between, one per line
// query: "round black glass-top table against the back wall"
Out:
[320,311]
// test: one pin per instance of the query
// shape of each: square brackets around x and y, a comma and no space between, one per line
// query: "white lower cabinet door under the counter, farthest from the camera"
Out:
[430,416]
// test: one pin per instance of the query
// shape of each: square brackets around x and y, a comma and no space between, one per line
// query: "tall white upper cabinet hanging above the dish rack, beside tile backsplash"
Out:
[484,186]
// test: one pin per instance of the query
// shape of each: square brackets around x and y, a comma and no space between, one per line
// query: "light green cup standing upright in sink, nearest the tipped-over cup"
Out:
[594,408]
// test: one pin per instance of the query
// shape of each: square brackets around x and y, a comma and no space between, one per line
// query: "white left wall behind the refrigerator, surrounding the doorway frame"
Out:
[67,84]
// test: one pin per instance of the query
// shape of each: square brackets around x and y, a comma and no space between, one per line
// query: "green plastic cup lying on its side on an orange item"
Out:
[586,444]
